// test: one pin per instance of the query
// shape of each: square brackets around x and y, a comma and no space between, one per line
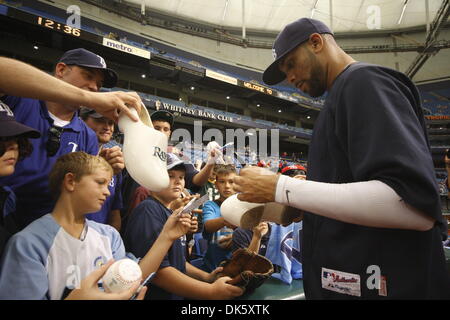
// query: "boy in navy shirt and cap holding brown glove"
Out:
[176,278]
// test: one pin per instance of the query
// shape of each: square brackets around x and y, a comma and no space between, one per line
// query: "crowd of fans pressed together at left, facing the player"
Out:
[65,190]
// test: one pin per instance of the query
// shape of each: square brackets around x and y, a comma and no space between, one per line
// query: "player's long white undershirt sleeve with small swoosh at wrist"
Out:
[369,203]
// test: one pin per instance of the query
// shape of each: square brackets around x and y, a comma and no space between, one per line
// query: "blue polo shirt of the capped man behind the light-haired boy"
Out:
[30,179]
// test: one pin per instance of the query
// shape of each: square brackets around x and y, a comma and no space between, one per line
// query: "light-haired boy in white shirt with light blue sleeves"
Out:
[56,251]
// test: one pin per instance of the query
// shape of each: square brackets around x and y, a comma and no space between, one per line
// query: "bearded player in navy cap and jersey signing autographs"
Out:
[373,223]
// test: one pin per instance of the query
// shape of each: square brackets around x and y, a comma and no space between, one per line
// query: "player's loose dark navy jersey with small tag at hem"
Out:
[372,128]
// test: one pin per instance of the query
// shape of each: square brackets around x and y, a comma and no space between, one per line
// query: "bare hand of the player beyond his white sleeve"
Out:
[256,184]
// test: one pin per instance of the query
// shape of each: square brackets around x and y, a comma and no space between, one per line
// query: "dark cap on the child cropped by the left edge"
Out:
[9,127]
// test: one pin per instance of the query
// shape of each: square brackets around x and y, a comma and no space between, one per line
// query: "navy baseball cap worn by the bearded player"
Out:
[287,40]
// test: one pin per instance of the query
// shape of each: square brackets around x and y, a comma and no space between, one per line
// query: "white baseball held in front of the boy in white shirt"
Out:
[121,275]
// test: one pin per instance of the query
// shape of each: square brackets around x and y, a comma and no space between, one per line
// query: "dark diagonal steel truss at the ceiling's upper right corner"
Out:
[433,31]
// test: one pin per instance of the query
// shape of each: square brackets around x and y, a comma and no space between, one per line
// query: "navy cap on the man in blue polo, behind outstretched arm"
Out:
[84,58]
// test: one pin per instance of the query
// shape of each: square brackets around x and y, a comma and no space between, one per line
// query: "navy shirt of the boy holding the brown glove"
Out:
[143,228]
